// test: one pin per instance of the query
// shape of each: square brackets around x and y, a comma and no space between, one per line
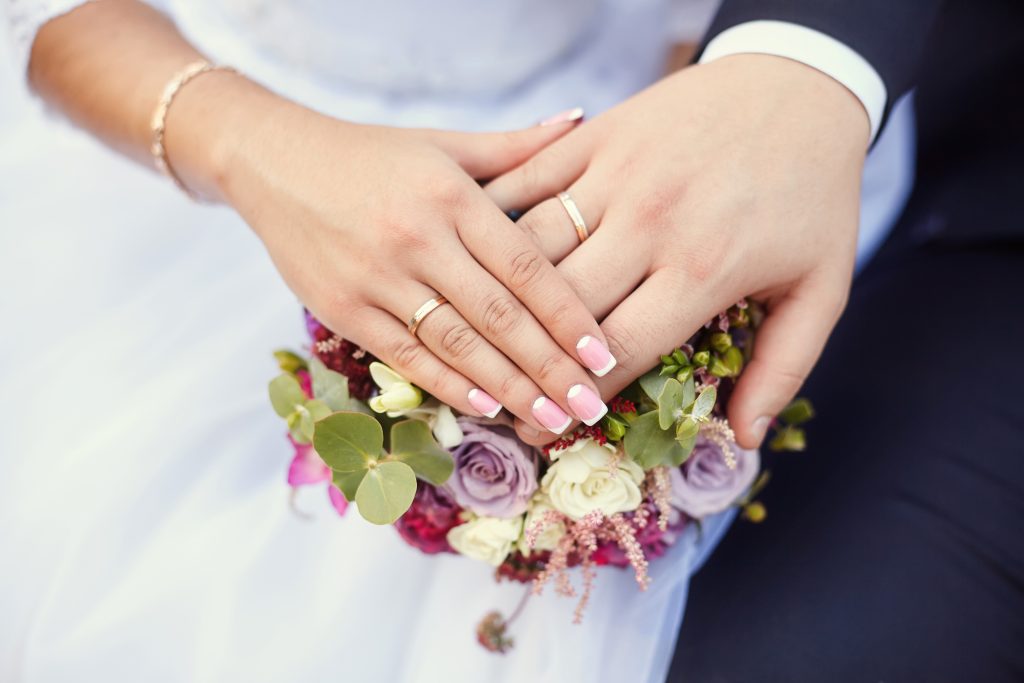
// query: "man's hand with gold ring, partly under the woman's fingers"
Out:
[736,179]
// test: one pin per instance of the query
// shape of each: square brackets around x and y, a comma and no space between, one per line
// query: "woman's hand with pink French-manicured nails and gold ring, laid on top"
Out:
[366,224]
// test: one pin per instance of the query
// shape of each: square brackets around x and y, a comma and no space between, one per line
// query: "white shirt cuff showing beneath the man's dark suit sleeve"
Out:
[813,49]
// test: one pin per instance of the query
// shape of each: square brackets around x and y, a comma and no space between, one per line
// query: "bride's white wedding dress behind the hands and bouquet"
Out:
[145,527]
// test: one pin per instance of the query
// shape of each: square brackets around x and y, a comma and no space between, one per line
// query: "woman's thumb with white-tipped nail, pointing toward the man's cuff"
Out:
[486,156]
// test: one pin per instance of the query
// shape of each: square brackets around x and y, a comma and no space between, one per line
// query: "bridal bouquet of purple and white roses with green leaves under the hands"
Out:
[616,494]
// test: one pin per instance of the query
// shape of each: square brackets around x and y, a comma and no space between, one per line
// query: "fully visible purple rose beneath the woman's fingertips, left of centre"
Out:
[495,473]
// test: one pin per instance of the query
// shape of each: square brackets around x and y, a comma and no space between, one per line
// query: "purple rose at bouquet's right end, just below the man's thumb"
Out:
[705,485]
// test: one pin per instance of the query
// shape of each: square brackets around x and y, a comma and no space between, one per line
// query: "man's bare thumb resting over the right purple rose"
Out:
[789,344]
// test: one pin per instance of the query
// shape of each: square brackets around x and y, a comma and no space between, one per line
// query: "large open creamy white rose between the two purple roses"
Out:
[583,480]
